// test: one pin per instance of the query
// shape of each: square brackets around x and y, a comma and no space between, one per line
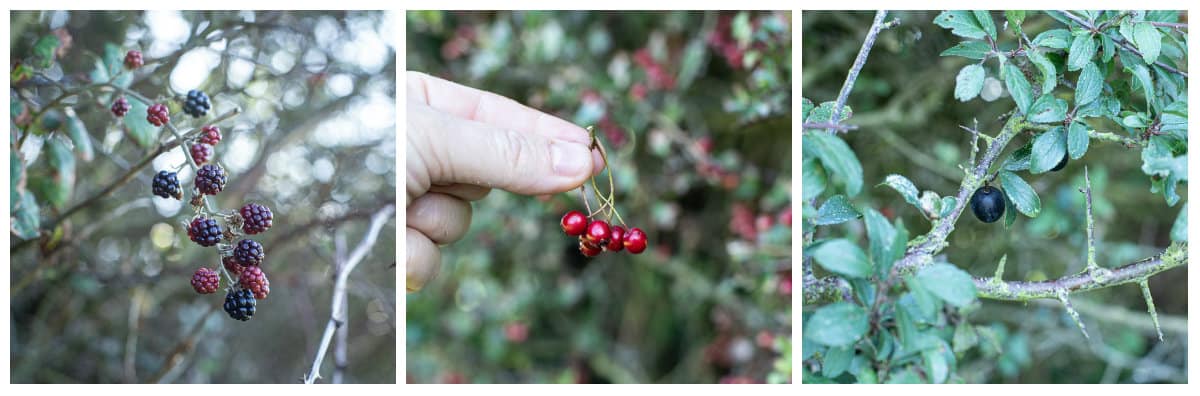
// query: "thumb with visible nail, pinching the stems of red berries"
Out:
[455,151]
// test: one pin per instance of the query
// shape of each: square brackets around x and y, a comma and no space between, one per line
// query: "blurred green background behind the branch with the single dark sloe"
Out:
[909,124]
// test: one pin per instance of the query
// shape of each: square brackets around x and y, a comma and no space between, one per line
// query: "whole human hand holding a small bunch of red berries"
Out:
[460,143]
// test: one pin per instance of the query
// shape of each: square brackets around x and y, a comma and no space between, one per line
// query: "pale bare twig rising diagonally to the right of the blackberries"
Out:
[338,309]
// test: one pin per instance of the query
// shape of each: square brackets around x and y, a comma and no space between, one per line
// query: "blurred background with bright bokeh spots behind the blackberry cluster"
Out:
[104,297]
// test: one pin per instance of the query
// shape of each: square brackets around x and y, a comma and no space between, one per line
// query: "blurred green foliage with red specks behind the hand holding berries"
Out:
[695,110]
